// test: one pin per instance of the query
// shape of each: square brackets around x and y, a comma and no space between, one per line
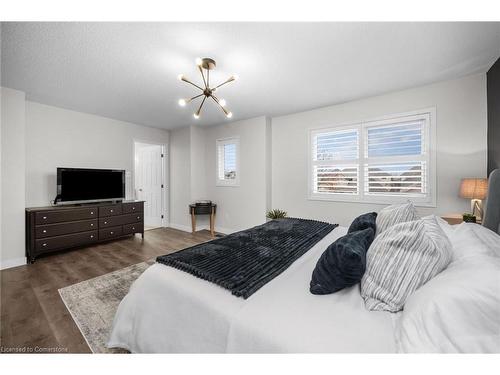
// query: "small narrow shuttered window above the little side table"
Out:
[227,162]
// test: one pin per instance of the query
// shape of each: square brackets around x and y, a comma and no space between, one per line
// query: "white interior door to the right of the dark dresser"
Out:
[149,182]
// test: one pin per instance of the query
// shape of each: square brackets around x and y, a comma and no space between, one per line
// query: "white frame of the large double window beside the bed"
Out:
[429,145]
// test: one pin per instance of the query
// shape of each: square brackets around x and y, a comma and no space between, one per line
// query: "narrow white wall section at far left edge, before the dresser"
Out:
[13,178]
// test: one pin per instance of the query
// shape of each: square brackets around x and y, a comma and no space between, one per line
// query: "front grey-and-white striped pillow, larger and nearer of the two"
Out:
[402,259]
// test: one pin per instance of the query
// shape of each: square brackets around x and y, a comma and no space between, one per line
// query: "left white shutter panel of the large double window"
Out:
[335,157]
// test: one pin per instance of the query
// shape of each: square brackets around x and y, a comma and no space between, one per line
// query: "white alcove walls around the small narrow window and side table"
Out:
[193,175]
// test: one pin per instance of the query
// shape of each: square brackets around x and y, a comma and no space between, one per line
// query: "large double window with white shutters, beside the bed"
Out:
[381,161]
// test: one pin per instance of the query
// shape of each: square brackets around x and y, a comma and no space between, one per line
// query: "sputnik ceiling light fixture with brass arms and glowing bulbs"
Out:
[207,92]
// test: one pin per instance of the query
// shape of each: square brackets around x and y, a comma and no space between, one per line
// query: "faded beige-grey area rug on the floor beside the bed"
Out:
[93,303]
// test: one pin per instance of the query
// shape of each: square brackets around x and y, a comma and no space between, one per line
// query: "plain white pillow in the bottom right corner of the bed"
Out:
[456,311]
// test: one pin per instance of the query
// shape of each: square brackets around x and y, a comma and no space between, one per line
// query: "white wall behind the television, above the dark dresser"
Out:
[58,137]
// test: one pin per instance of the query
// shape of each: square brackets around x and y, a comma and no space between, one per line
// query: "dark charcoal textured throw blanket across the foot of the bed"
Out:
[245,261]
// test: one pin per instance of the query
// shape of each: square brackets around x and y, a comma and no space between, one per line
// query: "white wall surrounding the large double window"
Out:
[461,145]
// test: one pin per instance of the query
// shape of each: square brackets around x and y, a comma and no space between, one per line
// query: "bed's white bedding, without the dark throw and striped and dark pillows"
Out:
[171,311]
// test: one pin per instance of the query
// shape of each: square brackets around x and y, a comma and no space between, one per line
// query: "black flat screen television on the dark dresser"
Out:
[79,185]
